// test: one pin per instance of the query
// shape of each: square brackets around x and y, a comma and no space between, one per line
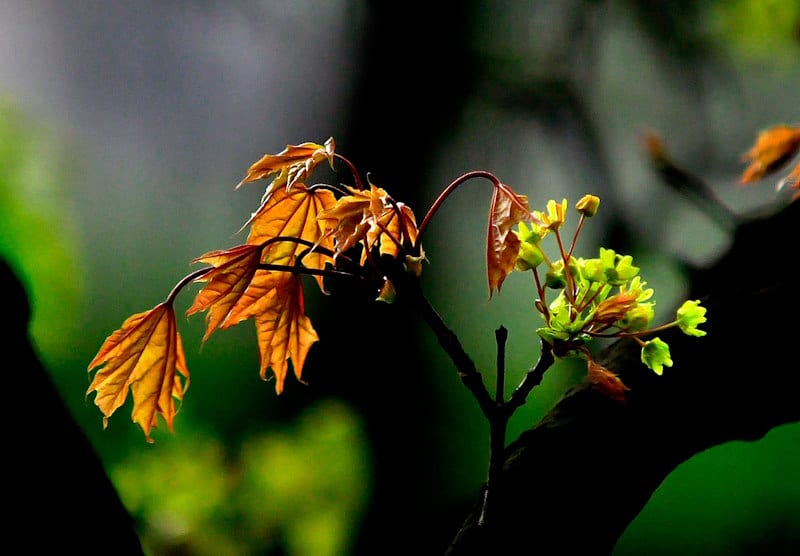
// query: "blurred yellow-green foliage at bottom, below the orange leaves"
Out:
[295,490]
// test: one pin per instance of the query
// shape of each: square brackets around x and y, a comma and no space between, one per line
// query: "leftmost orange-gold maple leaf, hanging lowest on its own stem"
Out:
[145,355]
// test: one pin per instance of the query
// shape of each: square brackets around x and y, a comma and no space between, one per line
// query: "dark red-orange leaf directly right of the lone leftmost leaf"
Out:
[233,270]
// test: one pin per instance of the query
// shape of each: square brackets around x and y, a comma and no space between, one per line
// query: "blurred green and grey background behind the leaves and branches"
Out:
[126,126]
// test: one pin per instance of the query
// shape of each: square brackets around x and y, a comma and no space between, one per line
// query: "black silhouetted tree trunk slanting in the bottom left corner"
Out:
[58,496]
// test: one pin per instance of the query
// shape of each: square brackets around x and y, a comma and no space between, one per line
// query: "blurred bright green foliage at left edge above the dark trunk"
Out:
[37,229]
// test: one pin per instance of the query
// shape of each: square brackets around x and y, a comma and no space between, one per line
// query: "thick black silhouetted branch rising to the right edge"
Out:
[575,480]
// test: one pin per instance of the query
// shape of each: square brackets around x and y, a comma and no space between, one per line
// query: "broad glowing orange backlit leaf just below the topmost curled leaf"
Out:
[294,214]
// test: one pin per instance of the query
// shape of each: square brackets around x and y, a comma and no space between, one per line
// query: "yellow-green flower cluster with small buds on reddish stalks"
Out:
[599,297]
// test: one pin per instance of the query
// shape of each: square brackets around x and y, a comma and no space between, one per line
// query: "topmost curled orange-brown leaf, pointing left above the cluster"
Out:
[292,165]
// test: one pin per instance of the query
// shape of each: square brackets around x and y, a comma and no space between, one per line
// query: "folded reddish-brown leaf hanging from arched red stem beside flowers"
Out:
[507,210]
